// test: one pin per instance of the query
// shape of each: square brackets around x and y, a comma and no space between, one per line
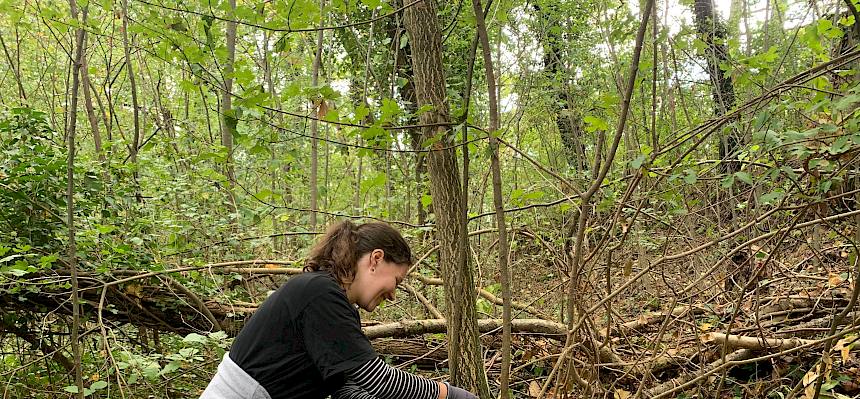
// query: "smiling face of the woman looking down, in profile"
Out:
[376,280]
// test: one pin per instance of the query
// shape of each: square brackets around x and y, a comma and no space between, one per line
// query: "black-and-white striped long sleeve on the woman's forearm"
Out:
[377,380]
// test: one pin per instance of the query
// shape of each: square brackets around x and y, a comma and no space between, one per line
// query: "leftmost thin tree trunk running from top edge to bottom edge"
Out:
[70,195]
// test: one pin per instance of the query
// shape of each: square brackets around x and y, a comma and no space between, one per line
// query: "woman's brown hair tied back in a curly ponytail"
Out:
[344,243]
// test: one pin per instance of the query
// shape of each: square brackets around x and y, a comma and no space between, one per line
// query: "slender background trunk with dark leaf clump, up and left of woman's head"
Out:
[228,118]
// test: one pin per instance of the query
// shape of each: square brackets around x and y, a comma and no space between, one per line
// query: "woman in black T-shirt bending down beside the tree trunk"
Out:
[305,340]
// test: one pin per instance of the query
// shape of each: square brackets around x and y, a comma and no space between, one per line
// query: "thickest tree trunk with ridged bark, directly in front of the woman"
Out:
[465,362]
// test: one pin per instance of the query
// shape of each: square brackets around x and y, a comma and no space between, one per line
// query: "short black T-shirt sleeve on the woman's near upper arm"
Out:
[332,333]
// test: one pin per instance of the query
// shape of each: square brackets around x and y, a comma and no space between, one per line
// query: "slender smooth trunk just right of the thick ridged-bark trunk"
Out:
[504,270]
